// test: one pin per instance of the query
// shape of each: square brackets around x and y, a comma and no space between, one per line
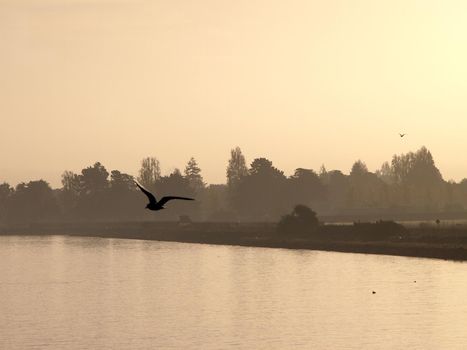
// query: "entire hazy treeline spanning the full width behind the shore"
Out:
[409,183]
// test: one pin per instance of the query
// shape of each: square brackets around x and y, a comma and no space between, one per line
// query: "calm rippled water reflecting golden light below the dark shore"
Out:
[59,292]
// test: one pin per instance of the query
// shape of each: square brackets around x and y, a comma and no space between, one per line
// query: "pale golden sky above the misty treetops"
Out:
[300,82]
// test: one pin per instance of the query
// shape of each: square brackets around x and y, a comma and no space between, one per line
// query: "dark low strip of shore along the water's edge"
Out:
[429,241]
